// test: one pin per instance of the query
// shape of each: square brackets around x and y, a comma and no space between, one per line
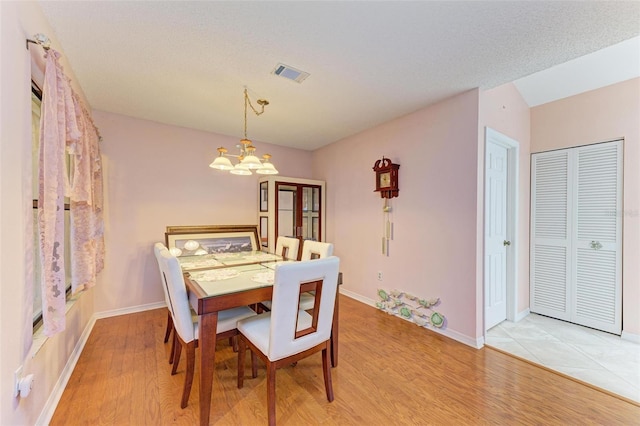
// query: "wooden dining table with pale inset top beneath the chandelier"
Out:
[219,281]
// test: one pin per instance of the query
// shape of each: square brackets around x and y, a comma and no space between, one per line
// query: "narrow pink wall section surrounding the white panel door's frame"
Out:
[503,109]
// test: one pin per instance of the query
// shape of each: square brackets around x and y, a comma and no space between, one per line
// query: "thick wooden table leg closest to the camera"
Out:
[207,344]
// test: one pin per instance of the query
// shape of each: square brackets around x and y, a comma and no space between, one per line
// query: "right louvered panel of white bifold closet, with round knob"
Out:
[597,239]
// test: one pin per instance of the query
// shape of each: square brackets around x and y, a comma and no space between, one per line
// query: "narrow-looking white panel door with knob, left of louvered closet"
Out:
[495,265]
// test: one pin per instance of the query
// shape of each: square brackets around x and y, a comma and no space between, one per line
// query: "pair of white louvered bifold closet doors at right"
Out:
[576,235]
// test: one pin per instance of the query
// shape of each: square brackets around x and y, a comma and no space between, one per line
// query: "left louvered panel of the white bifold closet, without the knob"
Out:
[550,231]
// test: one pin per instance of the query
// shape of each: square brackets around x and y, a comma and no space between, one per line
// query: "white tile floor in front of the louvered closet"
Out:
[602,359]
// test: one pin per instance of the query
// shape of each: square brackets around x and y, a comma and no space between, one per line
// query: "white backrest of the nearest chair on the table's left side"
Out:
[177,292]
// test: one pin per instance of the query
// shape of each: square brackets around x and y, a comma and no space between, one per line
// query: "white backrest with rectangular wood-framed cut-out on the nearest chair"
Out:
[293,331]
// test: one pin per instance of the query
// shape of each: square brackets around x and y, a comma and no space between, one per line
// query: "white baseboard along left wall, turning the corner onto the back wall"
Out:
[56,393]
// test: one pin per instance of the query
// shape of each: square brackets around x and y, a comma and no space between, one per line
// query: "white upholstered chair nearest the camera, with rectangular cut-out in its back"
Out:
[287,334]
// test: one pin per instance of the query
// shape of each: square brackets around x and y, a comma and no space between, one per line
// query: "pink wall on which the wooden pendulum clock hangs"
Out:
[434,248]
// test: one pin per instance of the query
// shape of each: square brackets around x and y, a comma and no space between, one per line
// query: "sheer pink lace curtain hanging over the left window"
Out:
[66,125]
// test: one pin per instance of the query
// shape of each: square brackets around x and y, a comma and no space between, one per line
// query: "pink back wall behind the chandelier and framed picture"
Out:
[158,175]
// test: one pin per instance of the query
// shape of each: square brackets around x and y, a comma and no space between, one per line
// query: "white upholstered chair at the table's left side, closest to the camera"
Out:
[185,329]
